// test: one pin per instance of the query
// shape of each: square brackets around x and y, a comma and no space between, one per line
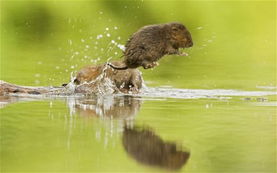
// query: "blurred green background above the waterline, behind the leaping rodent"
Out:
[235,41]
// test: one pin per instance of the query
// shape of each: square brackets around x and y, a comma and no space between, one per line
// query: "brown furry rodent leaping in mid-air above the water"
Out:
[150,43]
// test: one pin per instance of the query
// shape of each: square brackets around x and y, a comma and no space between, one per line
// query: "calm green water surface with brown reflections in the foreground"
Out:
[161,129]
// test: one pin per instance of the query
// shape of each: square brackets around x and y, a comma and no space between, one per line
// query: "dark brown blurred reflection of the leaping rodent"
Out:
[148,148]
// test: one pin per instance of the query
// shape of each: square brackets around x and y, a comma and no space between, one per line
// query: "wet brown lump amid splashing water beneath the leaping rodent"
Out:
[125,80]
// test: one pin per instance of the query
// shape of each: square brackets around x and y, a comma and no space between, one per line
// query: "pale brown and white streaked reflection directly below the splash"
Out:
[112,111]
